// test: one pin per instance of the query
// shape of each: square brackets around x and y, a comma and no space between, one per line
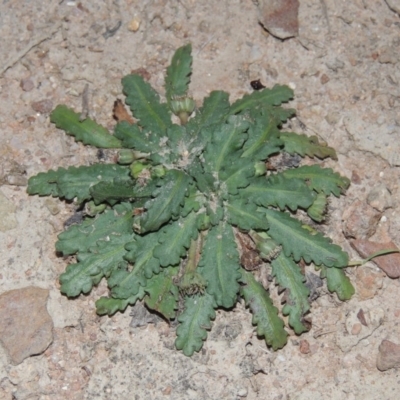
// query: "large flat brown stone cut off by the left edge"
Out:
[26,328]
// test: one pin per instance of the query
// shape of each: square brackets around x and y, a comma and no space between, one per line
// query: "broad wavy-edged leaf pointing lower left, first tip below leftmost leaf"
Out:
[78,238]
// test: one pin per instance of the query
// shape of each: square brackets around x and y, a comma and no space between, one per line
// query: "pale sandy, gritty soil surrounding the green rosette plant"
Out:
[344,66]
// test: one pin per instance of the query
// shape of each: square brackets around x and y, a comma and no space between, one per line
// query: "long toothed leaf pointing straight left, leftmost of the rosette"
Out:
[74,182]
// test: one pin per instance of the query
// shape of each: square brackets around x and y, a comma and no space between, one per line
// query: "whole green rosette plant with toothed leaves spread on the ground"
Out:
[192,211]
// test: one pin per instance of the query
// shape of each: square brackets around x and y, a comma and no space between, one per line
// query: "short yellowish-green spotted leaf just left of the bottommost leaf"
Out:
[163,294]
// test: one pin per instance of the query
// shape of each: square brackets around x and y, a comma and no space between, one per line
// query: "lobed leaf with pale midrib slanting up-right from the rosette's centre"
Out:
[225,140]
